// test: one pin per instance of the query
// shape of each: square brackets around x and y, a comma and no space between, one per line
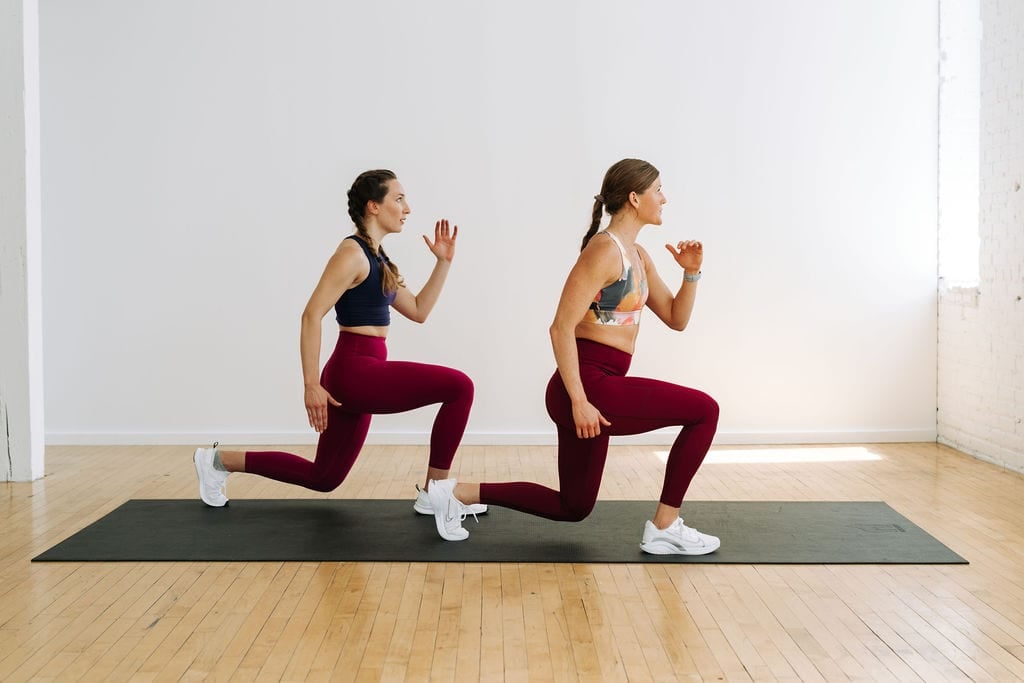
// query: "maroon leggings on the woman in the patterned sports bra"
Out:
[633,406]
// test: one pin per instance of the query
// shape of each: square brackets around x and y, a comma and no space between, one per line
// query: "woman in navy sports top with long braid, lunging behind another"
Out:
[362,285]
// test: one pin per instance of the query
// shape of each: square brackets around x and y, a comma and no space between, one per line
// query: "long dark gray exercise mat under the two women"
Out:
[389,531]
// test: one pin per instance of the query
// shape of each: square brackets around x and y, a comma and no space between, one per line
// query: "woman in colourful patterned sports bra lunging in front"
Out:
[590,398]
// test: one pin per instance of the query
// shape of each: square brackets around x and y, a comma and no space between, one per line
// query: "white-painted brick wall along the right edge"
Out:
[982,330]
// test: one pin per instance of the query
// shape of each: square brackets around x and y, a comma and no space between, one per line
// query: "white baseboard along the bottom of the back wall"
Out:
[661,438]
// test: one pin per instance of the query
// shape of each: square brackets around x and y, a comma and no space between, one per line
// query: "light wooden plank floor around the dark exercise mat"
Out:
[398,622]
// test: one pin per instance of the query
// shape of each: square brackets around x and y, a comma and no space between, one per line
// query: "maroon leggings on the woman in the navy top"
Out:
[365,382]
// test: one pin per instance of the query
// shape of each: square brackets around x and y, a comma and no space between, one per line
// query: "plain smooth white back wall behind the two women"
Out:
[197,154]
